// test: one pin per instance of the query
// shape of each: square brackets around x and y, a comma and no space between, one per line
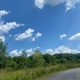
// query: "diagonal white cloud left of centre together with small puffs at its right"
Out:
[27,34]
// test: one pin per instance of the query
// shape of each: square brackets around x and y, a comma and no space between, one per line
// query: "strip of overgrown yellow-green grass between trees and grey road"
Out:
[34,73]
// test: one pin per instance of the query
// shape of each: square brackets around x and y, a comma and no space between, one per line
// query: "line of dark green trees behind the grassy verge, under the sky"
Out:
[37,59]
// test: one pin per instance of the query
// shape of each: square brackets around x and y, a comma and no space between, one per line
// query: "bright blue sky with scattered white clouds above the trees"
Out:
[52,26]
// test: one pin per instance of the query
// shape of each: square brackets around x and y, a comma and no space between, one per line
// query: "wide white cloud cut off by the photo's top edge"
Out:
[68,3]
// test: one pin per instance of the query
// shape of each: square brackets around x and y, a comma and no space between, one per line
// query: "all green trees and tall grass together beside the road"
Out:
[35,66]
